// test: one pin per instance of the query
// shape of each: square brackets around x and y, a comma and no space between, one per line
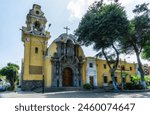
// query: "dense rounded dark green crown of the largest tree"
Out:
[102,25]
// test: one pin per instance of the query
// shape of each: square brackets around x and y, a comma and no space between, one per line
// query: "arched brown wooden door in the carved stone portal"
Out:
[67,77]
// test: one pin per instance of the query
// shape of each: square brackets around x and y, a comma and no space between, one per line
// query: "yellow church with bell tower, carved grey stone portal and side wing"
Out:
[63,63]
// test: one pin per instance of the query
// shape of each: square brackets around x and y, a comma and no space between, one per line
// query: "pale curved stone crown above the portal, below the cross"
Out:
[65,37]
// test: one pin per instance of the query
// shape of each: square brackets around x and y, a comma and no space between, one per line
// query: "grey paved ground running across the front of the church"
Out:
[75,94]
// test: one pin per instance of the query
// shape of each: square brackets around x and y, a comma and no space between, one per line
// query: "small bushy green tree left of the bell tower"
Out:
[11,73]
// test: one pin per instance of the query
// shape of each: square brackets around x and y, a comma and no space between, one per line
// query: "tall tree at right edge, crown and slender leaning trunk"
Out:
[138,35]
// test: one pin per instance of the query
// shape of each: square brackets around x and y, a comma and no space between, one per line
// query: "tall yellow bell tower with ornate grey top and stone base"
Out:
[35,39]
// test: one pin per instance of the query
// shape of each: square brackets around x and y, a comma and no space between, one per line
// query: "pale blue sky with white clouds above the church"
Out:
[59,13]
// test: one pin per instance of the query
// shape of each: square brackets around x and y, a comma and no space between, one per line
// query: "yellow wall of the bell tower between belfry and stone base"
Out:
[30,57]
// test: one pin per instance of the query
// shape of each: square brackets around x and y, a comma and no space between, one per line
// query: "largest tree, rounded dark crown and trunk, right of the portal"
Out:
[103,25]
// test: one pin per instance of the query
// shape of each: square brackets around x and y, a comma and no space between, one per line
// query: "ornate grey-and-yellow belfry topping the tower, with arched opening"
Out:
[35,21]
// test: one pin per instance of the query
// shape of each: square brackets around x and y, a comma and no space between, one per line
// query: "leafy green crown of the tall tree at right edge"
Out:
[138,32]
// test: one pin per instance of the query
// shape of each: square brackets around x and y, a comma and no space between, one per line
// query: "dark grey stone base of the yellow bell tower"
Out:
[29,85]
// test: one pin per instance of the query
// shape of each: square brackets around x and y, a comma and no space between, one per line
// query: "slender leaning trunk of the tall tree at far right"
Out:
[141,70]
